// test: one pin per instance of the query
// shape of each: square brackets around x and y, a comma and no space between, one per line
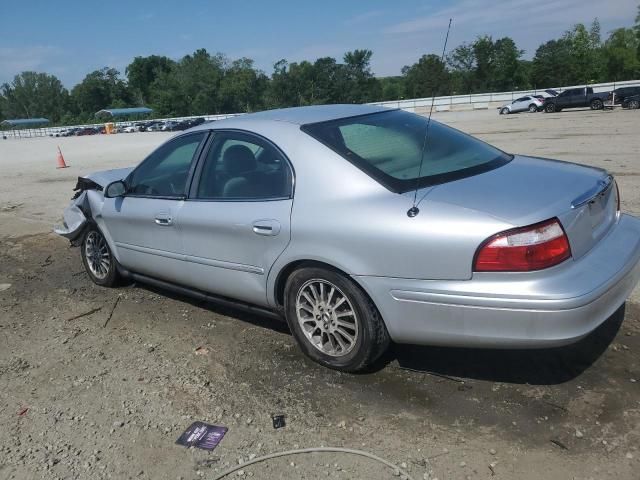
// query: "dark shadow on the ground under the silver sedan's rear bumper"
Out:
[536,367]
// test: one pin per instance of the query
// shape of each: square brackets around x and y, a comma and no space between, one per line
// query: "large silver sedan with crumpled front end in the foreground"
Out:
[308,214]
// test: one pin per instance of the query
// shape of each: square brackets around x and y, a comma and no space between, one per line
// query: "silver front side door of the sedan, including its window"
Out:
[143,225]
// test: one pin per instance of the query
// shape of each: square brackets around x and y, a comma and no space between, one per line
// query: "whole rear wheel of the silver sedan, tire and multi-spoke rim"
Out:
[333,320]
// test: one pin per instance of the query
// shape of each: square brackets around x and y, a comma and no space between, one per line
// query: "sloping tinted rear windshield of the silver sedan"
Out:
[389,146]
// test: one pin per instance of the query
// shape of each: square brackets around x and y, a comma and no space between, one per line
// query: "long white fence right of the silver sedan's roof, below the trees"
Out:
[480,101]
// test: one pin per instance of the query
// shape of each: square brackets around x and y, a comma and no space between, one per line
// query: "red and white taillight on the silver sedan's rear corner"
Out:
[524,249]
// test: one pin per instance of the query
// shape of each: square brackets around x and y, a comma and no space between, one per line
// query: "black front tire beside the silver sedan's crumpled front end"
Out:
[111,277]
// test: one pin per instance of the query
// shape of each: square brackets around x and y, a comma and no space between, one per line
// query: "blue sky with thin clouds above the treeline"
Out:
[72,38]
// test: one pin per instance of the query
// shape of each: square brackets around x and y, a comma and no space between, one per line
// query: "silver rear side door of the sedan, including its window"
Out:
[236,221]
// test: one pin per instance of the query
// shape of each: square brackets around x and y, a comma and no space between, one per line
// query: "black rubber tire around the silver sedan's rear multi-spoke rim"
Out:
[371,336]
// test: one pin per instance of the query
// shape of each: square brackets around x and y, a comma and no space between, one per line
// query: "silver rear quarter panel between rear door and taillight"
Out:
[343,217]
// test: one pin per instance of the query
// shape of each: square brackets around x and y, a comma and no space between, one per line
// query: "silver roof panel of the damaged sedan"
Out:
[306,115]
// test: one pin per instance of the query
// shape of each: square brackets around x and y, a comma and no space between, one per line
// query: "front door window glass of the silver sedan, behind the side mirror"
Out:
[164,173]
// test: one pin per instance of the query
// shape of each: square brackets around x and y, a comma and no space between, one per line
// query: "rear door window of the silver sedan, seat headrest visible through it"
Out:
[243,167]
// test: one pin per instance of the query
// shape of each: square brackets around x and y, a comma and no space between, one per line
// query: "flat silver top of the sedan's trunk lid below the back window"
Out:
[524,191]
